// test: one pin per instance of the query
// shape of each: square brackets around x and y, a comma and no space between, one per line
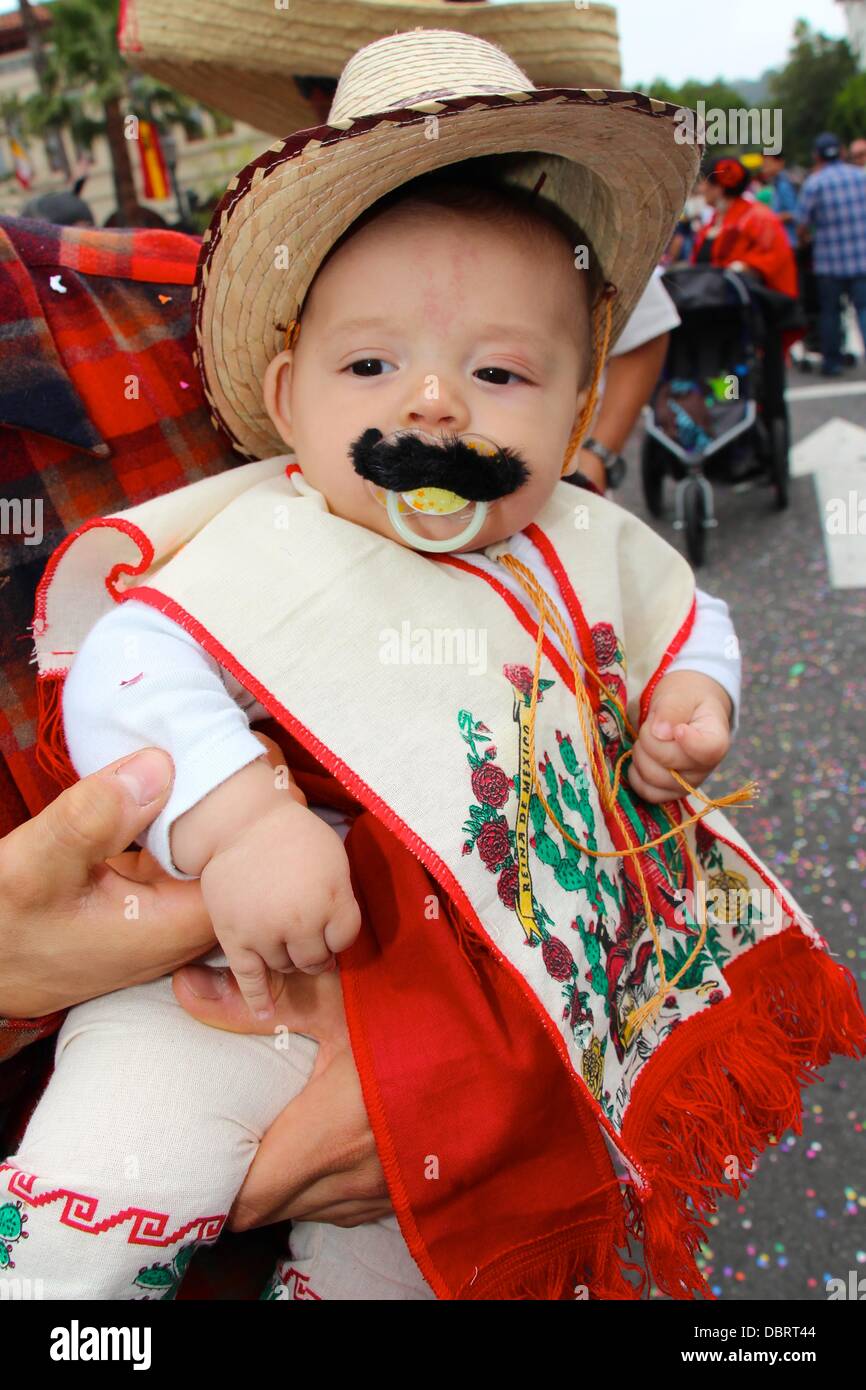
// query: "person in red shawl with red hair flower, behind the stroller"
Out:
[744,236]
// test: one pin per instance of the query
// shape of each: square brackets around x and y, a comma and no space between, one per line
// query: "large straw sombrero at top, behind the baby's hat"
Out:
[276,63]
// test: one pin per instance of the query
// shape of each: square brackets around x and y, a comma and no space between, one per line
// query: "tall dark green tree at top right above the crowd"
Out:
[808,87]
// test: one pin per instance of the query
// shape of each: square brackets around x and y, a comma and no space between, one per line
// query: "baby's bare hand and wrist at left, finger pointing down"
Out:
[275,879]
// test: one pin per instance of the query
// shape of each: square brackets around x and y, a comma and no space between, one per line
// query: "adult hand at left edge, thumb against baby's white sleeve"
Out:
[73,926]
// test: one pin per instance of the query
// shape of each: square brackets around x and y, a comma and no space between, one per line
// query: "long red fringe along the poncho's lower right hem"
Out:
[697,1109]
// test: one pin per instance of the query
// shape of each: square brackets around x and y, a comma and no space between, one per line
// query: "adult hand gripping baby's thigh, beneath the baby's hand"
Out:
[319,1160]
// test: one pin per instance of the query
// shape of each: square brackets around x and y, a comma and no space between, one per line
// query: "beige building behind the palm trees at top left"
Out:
[205,162]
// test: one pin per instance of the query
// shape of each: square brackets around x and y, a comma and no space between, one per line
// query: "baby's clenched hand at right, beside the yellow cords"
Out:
[689,728]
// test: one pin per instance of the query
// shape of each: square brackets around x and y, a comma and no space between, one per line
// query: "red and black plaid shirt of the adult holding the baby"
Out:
[101,408]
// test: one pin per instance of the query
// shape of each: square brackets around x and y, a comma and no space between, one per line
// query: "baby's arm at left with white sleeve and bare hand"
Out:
[269,867]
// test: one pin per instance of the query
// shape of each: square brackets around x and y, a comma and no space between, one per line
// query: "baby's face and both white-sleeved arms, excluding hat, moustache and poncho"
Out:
[415,293]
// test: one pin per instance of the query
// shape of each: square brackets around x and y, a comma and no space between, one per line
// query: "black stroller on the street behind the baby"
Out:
[719,411]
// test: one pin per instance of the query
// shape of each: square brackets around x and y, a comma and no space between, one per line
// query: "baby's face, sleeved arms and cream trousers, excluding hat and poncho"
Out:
[432,286]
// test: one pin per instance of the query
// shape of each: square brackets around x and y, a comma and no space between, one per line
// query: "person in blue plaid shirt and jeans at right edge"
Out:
[832,213]
